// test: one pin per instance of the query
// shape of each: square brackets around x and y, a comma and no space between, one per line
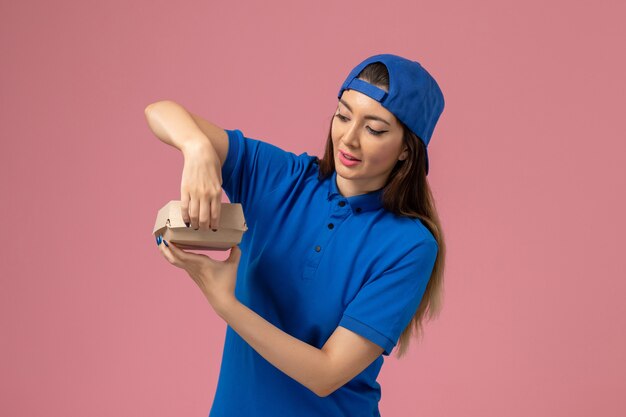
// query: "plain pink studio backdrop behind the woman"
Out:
[527,167]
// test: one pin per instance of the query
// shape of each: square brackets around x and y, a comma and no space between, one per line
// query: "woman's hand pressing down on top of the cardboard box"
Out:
[201,186]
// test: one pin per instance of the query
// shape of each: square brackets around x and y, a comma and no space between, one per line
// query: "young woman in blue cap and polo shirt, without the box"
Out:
[344,255]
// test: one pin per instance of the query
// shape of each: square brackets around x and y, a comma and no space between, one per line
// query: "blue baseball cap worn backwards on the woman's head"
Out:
[414,96]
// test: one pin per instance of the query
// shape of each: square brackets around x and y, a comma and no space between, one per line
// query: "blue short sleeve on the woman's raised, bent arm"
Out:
[253,168]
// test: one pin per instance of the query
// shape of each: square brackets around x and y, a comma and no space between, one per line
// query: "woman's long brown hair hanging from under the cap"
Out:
[406,193]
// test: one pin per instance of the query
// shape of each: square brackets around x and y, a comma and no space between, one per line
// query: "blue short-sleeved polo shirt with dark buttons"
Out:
[313,260]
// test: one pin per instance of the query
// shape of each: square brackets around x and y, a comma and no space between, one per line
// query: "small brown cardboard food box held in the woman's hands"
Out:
[171,227]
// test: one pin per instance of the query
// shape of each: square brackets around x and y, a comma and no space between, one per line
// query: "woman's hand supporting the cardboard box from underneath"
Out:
[216,279]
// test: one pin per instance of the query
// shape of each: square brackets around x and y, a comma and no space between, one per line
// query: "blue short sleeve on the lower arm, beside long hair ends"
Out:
[387,302]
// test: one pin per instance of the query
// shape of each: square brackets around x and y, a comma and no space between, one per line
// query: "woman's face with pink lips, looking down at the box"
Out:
[365,129]
